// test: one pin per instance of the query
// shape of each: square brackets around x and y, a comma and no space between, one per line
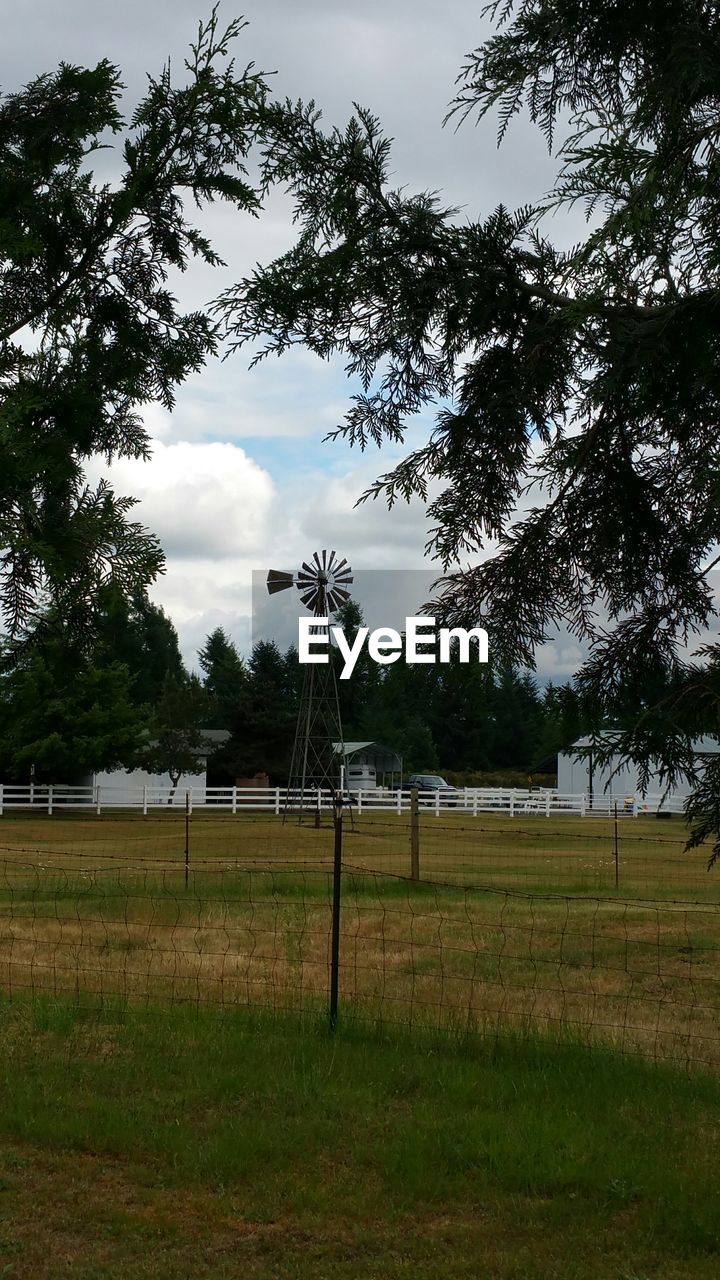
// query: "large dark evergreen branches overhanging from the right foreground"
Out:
[590,374]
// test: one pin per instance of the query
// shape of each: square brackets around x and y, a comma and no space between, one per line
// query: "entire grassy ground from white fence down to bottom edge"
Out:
[167,1113]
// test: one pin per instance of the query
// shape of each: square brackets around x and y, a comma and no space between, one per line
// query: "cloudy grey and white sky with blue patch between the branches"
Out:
[240,477]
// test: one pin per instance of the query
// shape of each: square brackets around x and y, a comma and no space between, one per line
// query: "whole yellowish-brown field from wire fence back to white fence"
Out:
[525,938]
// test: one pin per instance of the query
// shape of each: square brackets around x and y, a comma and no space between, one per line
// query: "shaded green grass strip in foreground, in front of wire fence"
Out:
[177,1144]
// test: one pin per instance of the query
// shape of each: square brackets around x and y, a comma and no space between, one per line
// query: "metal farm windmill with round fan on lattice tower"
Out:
[316,761]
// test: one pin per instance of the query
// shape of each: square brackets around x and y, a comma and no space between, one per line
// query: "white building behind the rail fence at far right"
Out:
[578,774]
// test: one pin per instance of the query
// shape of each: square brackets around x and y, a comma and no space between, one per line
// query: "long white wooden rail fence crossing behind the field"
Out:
[467,801]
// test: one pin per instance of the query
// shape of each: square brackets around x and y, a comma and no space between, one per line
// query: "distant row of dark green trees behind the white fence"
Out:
[127,701]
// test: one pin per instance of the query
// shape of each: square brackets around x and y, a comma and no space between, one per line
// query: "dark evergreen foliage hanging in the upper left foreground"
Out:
[89,327]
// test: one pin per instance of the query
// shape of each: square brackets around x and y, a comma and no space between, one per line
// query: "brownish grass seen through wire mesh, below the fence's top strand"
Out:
[636,975]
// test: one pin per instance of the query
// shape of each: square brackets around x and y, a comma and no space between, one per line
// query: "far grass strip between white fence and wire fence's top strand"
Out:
[557,854]
